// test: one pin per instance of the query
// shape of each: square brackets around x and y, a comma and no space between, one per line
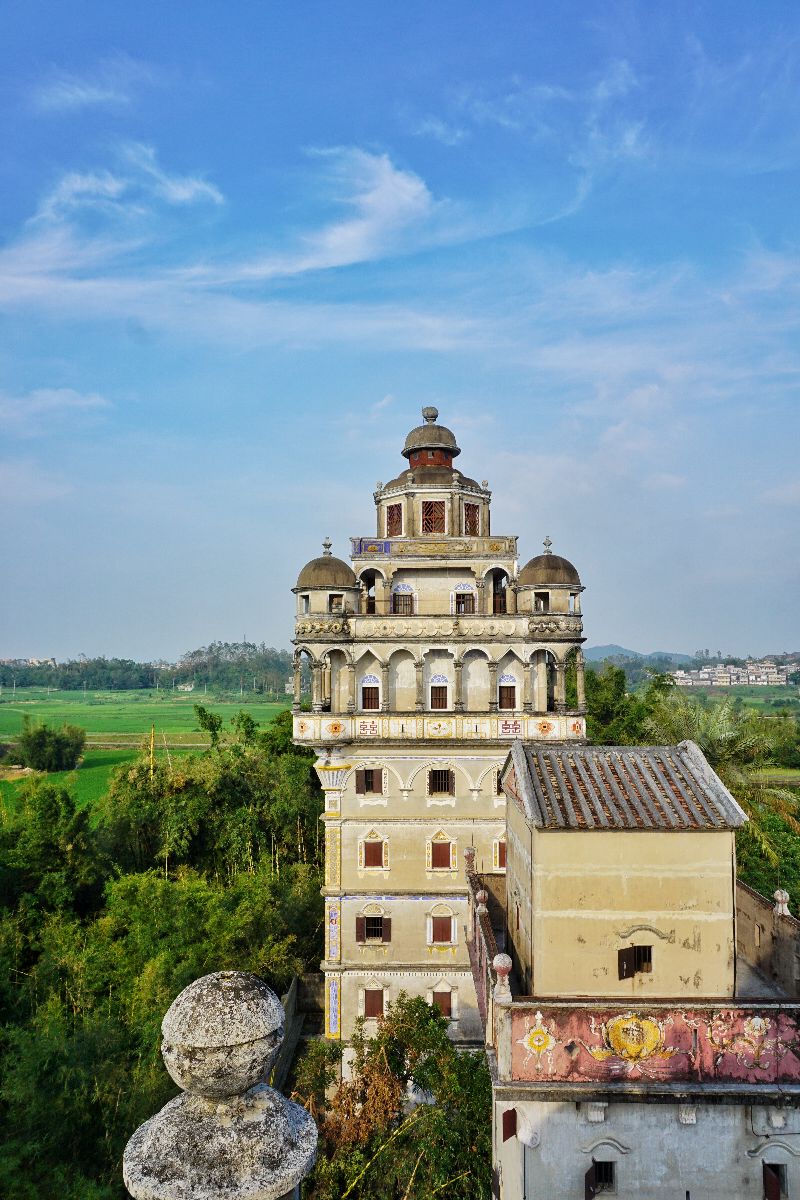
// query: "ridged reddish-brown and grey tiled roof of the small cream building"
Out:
[564,787]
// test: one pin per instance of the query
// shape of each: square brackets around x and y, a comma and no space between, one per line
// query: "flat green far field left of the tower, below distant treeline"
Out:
[113,717]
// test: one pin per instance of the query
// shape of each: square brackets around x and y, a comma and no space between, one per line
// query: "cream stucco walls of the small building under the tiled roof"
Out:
[578,898]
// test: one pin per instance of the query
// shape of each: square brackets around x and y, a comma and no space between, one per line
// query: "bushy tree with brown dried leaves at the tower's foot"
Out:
[413,1123]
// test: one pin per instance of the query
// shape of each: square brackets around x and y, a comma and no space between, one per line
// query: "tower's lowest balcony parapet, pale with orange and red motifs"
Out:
[328,729]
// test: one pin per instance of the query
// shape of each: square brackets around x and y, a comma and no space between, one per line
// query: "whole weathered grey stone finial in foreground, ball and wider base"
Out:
[228,1136]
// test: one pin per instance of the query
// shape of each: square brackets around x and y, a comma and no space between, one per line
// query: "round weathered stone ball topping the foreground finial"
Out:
[222,1035]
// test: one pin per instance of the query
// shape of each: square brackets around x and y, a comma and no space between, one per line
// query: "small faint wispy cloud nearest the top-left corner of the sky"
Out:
[112,83]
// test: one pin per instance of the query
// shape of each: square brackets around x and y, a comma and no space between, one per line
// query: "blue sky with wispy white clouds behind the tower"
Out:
[243,244]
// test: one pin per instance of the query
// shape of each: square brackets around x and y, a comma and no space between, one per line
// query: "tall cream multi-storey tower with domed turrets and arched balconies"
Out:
[428,658]
